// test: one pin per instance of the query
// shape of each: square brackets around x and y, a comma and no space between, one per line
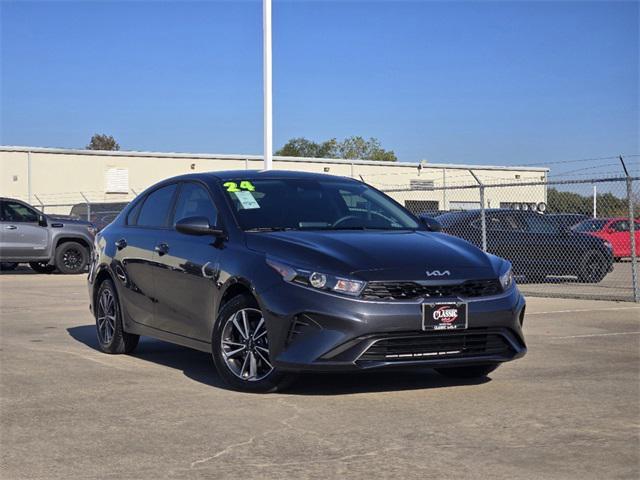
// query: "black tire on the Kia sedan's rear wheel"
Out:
[111,336]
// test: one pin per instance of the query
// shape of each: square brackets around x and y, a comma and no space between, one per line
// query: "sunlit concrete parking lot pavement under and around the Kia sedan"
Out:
[569,409]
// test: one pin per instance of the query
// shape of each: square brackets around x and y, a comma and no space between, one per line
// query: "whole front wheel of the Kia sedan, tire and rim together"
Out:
[240,348]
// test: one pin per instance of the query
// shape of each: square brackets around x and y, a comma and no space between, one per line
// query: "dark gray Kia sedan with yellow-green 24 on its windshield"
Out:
[276,273]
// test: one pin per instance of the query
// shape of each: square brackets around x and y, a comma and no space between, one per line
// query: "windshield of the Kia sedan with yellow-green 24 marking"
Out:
[313,204]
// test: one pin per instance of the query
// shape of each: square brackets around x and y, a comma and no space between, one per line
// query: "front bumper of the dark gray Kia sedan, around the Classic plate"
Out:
[313,331]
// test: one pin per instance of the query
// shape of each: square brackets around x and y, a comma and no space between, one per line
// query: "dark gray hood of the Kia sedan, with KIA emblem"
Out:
[378,255]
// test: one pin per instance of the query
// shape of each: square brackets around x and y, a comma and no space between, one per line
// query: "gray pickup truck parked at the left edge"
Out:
[45,242]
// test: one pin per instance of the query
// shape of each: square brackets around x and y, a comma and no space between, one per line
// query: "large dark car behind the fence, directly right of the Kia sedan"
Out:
[536,246]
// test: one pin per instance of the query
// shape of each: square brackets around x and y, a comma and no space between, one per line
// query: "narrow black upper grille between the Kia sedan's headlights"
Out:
[408,290]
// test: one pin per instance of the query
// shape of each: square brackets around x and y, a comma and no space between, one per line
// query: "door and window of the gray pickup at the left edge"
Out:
[21,237]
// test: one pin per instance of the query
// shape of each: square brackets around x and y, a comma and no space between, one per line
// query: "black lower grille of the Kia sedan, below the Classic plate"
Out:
[432,346]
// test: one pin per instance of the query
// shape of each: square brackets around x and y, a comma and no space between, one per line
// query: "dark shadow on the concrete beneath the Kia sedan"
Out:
[198,366]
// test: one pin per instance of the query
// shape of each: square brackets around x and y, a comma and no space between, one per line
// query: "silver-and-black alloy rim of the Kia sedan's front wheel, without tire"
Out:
[244,345]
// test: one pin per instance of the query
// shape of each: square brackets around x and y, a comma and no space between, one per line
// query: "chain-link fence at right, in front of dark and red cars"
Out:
[570,238]
